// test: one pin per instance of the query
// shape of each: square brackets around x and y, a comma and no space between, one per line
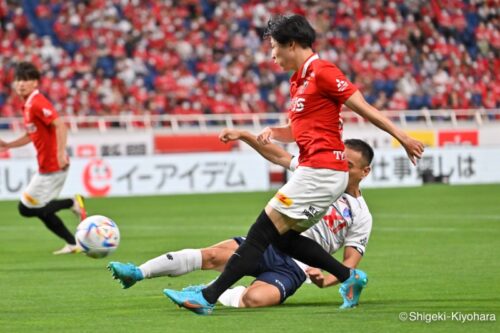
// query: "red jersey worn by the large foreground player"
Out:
[318,90]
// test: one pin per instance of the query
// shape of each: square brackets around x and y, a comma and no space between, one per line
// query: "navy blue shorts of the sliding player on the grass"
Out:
[280,270]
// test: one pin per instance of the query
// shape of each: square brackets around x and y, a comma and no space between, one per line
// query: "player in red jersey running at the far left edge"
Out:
[48,133]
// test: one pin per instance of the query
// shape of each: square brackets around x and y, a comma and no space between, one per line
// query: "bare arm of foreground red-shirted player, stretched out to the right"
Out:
[358,104]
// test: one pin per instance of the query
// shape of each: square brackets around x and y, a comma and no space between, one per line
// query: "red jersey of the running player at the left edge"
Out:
[38,115]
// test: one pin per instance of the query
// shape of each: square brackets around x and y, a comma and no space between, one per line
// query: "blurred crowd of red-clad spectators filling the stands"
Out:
[110,57]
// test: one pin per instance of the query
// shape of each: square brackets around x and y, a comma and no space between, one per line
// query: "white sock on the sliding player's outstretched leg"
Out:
[172,264]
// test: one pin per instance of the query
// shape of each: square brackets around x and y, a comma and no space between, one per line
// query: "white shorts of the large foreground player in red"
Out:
[309,193]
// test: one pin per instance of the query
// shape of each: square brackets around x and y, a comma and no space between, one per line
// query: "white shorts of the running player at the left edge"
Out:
[43,188]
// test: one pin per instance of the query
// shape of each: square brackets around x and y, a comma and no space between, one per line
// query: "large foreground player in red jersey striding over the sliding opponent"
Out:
[318,90]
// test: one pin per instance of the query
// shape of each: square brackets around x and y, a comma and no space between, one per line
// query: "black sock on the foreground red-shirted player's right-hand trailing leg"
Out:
[311,253]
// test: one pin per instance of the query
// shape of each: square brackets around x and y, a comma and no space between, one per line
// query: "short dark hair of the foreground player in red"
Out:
[287,28]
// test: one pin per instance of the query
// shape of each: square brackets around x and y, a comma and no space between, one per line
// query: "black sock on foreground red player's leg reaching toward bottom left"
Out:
[246,258]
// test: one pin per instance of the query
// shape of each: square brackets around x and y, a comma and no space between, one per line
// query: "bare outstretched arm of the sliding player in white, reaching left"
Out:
[271,152]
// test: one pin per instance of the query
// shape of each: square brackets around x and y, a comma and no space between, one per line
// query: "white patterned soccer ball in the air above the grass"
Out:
[98,236]
